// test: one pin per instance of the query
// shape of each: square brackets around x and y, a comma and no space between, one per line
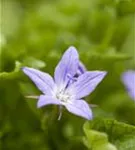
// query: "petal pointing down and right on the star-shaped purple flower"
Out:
[79,108]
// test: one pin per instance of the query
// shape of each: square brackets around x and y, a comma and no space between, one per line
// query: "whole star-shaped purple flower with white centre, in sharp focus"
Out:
[71,83]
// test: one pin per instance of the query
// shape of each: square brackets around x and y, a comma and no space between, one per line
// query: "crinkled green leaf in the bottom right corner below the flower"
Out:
[100,132]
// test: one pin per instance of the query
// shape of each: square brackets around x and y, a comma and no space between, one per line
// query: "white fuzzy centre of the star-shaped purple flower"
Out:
[63,96]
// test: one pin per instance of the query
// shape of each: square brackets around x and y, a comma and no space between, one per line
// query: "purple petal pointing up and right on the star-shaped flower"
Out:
[87,82]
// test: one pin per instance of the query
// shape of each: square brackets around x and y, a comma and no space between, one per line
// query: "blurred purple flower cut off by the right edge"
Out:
[128,79]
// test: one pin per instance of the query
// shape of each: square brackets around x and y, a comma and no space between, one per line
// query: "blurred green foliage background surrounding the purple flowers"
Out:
[35,34]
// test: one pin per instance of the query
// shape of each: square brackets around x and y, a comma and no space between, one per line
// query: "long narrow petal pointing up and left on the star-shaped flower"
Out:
[42,80]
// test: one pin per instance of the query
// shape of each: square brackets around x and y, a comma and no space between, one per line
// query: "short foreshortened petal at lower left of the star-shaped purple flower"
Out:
[47,100]
